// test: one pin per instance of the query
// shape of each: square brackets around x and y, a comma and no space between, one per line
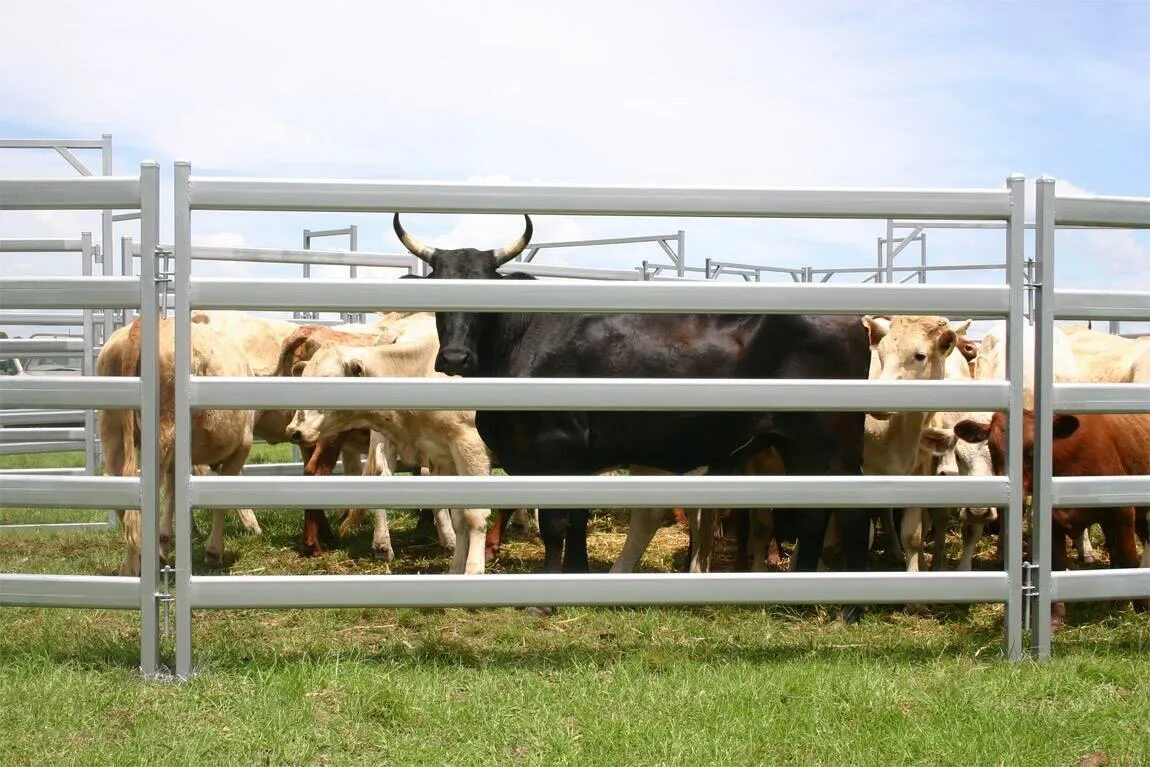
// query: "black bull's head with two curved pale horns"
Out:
[461,332]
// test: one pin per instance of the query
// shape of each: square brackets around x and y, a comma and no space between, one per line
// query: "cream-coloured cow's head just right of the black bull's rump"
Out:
[910,348]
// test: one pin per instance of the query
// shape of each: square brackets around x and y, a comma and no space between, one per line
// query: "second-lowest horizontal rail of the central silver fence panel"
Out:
[584,492]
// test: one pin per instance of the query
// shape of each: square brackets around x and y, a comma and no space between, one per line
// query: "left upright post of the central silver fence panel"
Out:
[182,256]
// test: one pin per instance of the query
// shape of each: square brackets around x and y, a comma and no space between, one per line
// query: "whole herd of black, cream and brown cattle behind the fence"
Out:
[580,443]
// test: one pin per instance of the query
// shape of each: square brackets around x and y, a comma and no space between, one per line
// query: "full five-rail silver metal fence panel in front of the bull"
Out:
[205,593]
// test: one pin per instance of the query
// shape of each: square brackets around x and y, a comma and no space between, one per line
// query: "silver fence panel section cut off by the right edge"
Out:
[1053,304]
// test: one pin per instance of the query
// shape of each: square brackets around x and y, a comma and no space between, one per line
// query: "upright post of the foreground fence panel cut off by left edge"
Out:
[150,417]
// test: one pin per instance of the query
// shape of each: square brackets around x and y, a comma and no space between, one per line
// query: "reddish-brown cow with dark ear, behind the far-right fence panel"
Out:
[1085,446]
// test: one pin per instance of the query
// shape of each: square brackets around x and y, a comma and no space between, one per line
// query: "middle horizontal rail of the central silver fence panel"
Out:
[596,395]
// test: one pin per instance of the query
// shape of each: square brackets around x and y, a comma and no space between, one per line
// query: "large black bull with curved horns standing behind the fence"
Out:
[654,347]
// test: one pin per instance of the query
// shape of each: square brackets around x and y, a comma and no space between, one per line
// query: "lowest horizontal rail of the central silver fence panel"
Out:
[243,592]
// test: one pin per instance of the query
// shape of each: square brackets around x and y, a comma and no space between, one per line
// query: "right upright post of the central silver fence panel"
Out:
[1013,526]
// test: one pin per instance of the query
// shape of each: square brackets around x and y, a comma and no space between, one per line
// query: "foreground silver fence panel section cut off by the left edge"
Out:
[30,490]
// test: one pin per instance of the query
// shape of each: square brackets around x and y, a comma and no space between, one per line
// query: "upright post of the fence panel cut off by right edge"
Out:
[1044,418]
